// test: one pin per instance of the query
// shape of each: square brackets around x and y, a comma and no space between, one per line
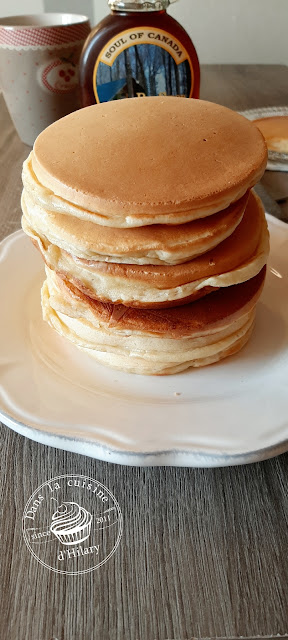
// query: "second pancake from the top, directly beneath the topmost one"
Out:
[153,244]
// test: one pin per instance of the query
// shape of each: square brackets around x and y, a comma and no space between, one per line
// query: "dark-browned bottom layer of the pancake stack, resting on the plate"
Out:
[153,342]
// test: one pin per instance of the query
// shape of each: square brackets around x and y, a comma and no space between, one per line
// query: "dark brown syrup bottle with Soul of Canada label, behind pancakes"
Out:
[138,50]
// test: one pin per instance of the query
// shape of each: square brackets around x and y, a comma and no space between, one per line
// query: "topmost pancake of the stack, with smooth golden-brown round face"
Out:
[149,161]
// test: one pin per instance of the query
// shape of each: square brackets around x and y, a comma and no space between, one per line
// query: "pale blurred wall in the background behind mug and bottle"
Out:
[223,31]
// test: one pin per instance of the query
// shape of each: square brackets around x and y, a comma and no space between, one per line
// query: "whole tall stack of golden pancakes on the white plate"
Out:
[155,246]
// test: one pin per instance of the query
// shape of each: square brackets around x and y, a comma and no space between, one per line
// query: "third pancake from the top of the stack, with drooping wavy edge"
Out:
[238,258]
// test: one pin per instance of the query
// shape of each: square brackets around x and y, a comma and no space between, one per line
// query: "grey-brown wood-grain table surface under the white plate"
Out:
[203,551]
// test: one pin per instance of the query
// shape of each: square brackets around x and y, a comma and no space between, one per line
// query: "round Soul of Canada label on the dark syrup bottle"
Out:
[142,62]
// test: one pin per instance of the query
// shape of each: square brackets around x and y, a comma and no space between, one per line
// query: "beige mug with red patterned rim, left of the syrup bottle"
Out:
[39,57]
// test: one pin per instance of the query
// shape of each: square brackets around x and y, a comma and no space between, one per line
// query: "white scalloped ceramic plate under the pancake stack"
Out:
[230,413]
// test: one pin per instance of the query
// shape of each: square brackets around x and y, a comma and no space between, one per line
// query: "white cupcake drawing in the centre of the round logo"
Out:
[71,523]
